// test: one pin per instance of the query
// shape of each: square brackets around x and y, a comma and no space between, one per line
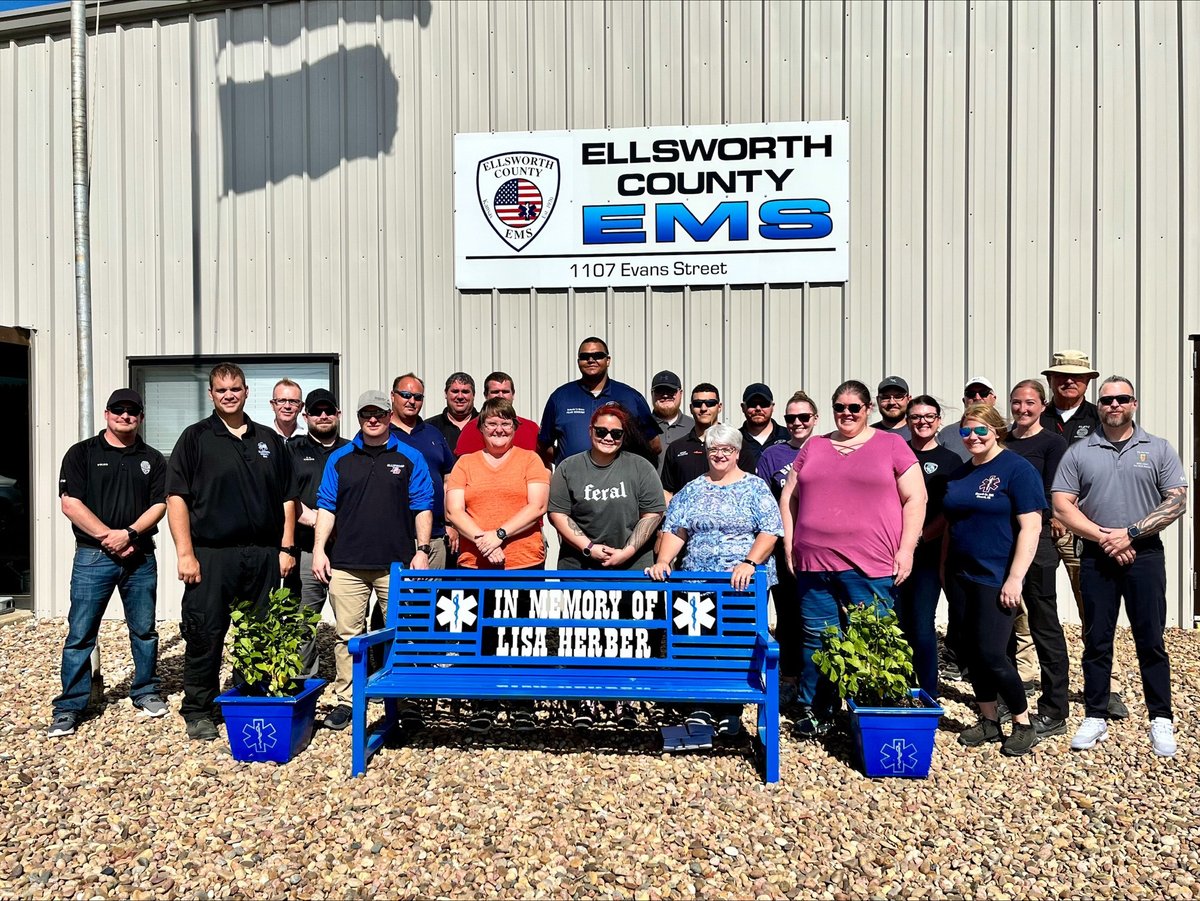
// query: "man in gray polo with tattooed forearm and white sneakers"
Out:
[1118,490]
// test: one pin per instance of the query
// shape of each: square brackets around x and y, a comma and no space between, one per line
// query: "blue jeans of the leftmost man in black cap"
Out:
[94,575]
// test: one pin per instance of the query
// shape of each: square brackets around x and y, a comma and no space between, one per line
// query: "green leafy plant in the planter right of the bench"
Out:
[872,663]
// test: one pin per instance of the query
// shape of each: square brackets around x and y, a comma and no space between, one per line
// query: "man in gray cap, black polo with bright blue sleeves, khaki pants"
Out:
[379,494]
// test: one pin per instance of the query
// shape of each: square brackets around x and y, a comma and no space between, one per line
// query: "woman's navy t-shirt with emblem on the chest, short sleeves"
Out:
[982,504]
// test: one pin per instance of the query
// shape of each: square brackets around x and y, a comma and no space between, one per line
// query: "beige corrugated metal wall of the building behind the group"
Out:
[278,178]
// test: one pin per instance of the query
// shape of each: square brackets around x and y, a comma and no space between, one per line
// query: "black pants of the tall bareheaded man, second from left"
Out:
[227,575]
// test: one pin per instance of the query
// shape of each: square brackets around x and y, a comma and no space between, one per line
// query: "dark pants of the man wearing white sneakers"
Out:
[1143,585]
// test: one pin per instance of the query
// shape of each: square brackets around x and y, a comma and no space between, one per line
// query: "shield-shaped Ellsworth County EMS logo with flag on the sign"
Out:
[517,194]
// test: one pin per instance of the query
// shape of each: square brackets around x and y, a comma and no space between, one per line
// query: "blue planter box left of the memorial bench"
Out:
[263,729]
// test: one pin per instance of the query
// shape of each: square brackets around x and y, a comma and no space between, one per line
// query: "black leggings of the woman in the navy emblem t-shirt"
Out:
[987,629]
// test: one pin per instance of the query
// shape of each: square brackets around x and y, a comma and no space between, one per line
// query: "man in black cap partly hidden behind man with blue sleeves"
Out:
[310,452]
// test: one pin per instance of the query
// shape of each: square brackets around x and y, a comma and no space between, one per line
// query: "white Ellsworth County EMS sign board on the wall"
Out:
[722,205]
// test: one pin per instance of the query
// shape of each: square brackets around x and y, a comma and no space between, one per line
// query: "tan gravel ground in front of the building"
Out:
[128,808]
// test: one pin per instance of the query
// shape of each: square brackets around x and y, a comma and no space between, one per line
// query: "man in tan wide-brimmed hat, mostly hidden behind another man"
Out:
[1075,418]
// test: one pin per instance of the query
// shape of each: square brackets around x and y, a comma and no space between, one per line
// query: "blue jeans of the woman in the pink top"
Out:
[823,598]
